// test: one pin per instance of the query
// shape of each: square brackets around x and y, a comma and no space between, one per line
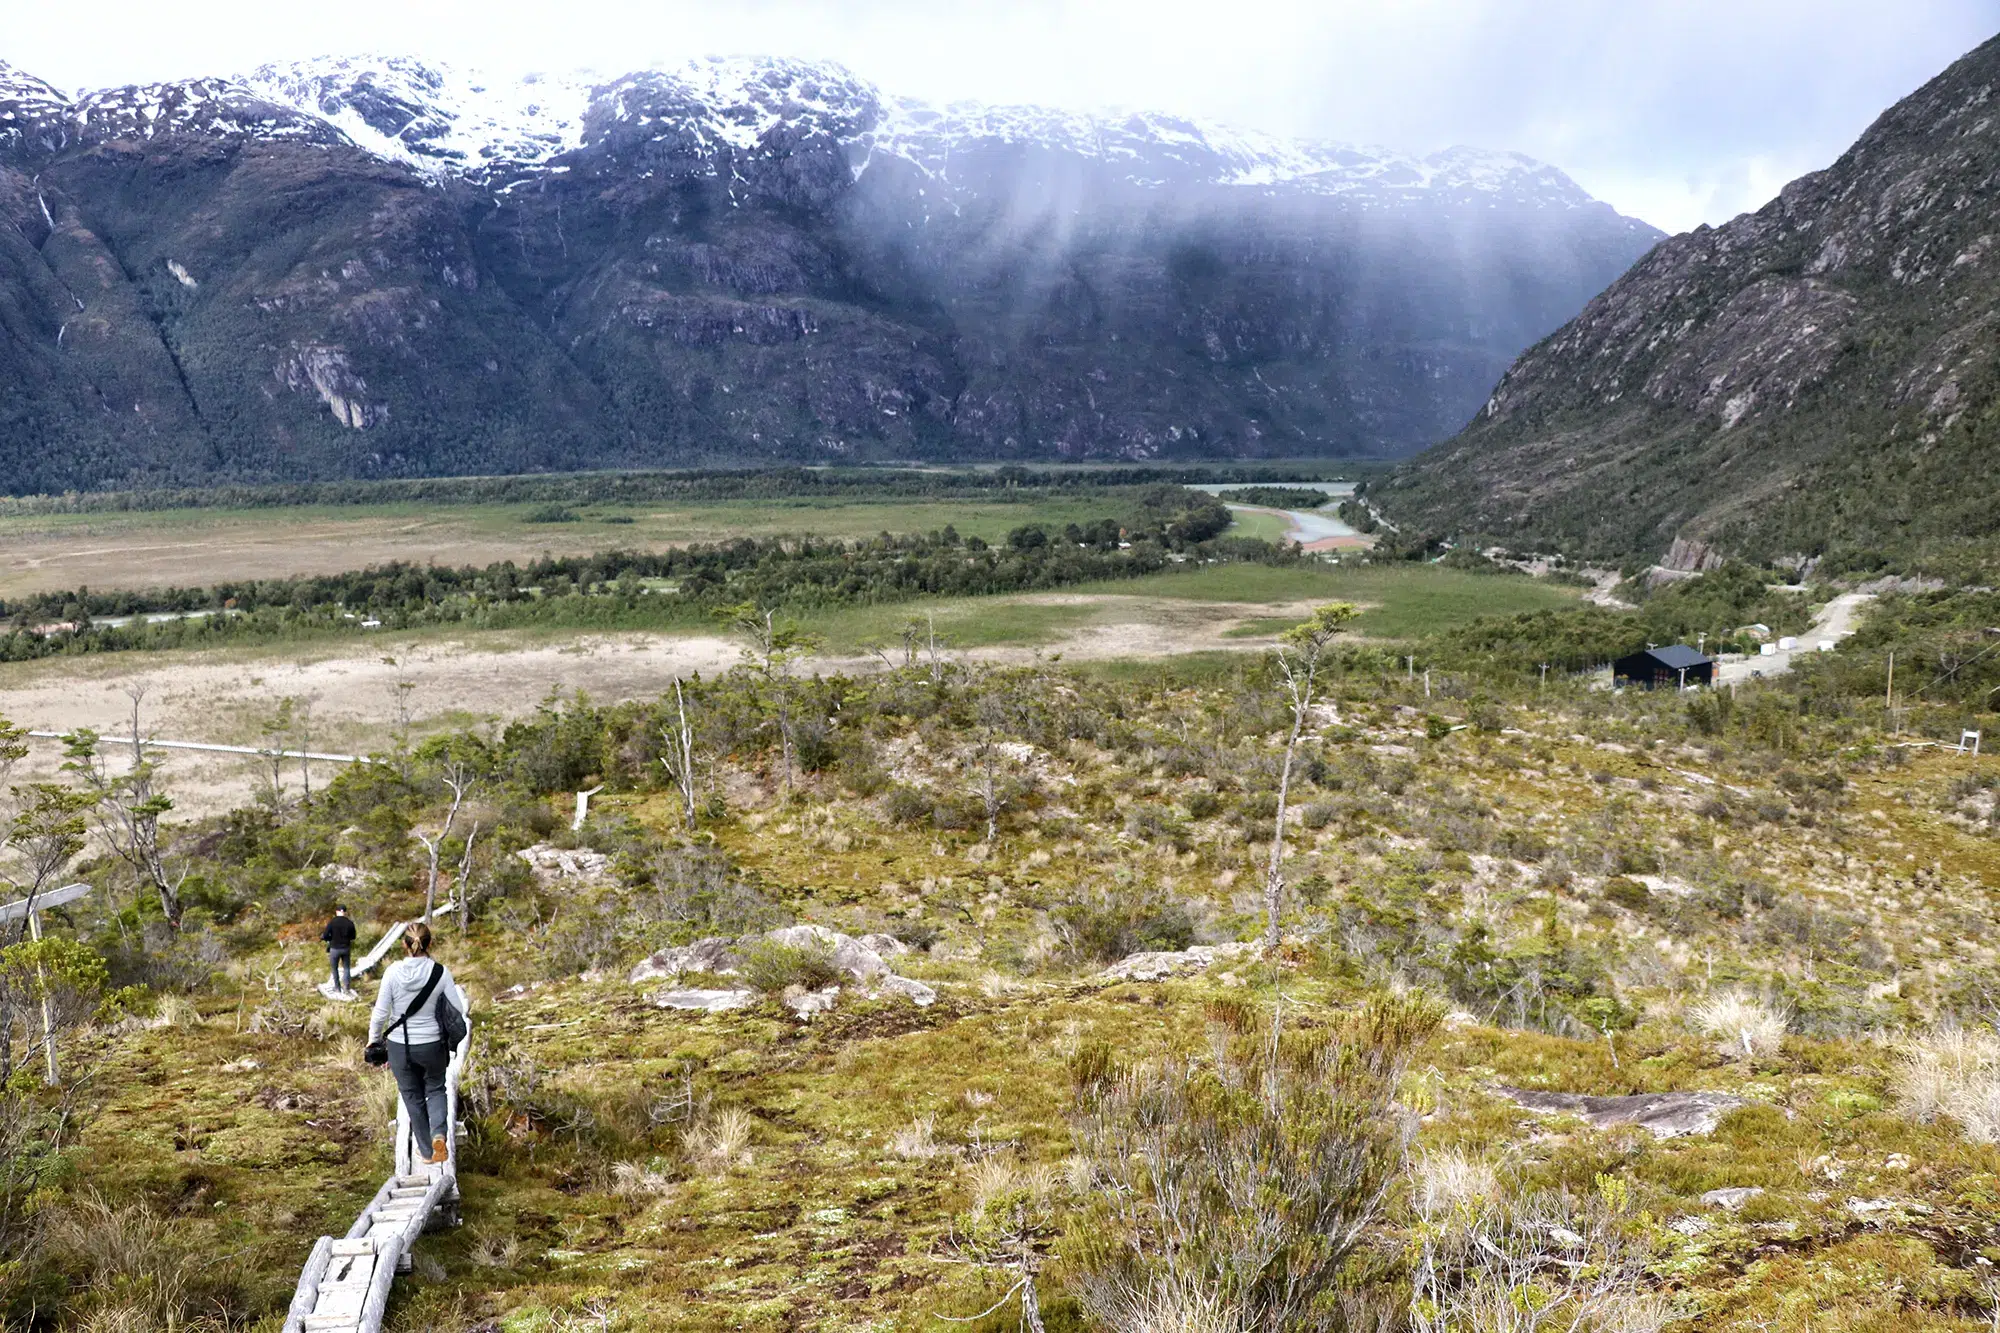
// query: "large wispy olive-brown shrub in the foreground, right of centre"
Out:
[1239,1190]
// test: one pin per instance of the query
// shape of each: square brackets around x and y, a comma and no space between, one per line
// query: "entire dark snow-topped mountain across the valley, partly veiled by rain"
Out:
[379,267]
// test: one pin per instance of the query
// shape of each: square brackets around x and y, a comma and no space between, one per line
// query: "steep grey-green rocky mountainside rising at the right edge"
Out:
[1813,377]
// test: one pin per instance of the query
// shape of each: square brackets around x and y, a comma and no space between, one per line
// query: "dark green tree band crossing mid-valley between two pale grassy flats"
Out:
[1167,525]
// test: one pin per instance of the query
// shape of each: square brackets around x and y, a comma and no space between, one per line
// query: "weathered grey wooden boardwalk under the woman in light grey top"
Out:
[345,1284]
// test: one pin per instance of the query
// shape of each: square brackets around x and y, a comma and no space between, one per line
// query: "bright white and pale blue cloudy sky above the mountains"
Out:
[1675,111]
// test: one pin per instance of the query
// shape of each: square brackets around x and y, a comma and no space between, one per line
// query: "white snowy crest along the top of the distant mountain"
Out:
[463,123]
